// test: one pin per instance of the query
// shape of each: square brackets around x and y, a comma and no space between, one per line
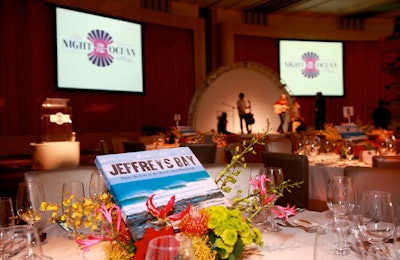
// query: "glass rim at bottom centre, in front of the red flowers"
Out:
[170,247]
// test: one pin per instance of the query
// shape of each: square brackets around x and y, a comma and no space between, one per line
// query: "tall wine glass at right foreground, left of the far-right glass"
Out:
[341,201]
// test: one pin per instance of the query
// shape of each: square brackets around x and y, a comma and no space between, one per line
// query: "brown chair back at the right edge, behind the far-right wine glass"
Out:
[367,178]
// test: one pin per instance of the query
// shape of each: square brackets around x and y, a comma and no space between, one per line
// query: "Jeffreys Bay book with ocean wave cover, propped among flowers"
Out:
[133,177]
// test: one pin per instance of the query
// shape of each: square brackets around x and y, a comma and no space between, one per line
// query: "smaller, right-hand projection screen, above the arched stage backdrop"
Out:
[308,67]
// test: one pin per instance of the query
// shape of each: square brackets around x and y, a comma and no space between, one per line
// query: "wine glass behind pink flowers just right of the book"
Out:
[273,191]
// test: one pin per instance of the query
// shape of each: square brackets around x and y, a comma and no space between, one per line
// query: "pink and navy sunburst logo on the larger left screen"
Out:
[100,40]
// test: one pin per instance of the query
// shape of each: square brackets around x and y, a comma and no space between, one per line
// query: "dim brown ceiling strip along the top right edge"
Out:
[386,9]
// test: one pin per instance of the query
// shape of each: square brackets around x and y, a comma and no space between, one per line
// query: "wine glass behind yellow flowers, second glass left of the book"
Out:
[72,192]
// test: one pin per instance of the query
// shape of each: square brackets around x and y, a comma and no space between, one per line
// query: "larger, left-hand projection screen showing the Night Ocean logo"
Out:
[96,52]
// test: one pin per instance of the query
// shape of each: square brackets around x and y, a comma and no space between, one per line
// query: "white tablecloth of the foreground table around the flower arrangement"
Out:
[290,243]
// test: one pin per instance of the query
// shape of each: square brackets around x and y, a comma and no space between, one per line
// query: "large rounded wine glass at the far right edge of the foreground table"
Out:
[376,222]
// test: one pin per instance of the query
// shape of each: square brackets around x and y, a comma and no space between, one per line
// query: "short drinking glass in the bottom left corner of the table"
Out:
[24,243]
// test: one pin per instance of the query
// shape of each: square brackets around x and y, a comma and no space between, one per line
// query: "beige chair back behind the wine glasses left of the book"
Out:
[53,180]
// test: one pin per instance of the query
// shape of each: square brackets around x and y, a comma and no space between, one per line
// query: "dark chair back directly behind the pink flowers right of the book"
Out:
[295,168]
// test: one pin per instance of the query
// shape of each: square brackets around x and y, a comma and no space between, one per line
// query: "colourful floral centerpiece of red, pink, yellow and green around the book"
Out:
[217,232]
